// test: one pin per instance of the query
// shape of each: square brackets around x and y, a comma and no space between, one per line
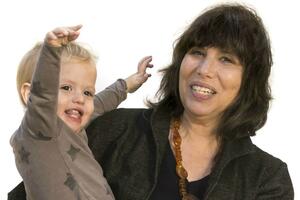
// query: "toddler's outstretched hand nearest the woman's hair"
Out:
[137,79]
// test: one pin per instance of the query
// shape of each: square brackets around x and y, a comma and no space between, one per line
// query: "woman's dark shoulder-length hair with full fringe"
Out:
[237,29]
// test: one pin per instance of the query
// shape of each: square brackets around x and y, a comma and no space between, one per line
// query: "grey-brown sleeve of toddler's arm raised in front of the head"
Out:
[40,119]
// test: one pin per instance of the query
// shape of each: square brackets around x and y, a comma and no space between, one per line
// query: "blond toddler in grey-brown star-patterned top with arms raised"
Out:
[56,83]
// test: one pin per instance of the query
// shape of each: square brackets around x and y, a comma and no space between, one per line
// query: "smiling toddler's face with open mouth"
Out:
[76,92]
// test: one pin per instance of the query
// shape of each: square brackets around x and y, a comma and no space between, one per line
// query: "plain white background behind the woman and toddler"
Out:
[120,33]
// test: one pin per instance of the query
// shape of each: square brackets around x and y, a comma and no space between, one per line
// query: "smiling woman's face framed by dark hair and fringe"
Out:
[209,80]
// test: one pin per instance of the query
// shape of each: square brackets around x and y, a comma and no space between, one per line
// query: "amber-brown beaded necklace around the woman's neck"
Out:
[180,170]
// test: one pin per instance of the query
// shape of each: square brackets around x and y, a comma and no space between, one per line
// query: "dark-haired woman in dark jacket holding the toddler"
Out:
[194,143]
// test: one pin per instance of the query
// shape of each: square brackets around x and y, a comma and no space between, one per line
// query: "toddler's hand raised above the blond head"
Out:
[62,35]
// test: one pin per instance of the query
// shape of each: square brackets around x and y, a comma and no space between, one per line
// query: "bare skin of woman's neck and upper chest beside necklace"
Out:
[199,146]
